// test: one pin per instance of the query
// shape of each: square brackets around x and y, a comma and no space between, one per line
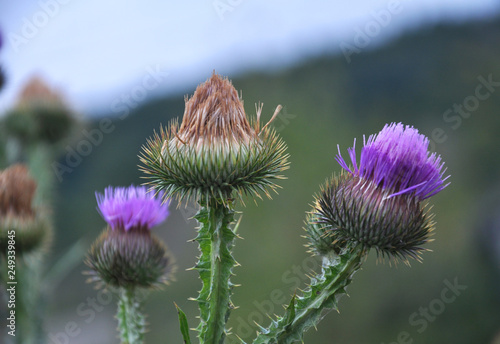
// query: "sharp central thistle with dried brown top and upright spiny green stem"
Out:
[215,156]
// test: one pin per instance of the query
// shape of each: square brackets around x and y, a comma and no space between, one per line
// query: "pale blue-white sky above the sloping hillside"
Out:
[95,52]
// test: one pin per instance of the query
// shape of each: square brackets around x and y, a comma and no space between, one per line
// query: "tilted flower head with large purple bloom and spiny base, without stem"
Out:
[380,203]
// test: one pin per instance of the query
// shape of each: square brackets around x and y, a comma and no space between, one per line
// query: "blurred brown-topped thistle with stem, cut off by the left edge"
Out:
[25,234]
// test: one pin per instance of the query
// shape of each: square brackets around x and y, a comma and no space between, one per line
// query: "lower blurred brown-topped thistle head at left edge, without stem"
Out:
[17,215]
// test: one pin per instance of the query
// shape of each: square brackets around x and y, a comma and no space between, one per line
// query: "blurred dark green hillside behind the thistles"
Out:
[416,80]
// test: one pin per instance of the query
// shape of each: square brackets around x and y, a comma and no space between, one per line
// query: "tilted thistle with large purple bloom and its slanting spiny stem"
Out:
[379,204]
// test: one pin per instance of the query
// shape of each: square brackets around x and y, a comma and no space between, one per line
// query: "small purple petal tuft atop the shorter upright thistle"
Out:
[131,207]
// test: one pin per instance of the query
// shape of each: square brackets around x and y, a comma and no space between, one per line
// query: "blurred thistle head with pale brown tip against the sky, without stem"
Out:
[40,114]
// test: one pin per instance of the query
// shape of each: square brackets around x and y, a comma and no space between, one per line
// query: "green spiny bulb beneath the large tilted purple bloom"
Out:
[350,210]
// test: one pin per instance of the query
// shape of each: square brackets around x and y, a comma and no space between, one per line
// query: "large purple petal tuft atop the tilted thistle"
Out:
[397,159]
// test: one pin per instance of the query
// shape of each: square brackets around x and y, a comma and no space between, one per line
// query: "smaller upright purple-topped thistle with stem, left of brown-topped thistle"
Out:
[126,257]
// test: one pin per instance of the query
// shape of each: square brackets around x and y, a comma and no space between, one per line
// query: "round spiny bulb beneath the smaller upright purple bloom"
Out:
[128,259]
